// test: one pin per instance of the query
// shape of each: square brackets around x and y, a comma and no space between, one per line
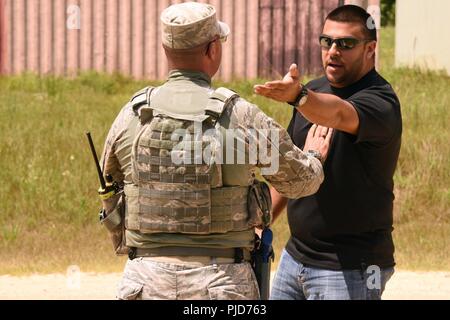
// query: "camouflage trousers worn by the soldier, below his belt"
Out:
[167,278]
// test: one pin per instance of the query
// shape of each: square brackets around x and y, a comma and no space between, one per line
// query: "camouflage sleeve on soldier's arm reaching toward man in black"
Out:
[290,171]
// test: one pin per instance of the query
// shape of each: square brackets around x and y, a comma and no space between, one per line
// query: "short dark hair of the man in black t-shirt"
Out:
[355,14]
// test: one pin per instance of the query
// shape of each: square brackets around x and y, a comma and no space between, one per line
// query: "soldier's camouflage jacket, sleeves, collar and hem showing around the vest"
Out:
[296,175]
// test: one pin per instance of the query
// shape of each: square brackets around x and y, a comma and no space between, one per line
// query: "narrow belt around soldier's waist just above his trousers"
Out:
[238,254]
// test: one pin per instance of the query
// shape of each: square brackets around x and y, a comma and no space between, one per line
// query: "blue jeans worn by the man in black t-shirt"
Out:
[294,281]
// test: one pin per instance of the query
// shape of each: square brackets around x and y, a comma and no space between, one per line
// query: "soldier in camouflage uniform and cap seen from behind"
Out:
[189,227]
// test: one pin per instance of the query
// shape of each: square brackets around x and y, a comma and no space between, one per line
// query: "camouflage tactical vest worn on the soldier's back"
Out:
[176,189]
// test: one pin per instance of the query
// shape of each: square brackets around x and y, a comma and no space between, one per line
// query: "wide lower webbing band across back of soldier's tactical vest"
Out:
[228,211]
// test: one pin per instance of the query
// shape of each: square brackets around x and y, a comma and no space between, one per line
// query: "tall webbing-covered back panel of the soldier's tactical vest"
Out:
[171,213]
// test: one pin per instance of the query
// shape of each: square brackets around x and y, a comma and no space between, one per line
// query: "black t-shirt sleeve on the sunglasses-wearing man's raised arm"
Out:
[377,110]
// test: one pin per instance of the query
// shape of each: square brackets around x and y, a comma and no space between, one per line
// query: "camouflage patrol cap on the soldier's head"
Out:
[190,24]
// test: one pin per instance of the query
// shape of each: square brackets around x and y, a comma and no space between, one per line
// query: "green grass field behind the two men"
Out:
[48,200]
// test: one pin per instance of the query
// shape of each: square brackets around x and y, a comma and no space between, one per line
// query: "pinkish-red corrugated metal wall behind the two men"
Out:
[65,36]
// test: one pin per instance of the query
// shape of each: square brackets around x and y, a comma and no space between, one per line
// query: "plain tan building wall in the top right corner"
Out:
[423,34]
